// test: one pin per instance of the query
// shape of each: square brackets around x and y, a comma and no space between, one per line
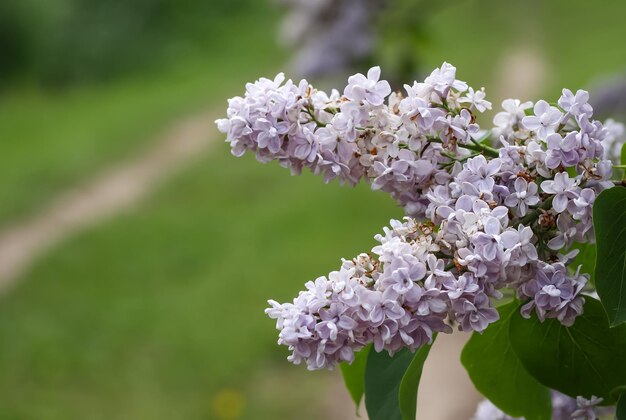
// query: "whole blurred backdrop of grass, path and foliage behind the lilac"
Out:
[136,254]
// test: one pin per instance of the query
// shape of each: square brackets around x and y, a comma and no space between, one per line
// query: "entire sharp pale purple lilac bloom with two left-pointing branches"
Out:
[486,210]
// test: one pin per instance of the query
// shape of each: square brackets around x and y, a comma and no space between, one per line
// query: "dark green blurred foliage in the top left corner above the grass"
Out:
[91,40]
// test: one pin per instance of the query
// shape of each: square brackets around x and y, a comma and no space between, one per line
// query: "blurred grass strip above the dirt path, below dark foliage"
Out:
[51,140]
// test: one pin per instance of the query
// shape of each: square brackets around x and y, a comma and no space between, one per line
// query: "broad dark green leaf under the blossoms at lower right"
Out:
[588,358]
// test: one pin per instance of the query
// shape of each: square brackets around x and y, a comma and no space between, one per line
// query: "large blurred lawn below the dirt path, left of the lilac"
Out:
[159,311]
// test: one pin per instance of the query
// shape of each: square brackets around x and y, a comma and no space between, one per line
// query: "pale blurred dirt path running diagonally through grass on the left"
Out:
[113,191]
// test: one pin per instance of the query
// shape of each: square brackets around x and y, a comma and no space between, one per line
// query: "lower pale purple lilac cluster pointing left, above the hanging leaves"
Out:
[394,298]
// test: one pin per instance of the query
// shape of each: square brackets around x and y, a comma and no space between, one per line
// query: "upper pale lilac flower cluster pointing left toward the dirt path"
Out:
[399,145]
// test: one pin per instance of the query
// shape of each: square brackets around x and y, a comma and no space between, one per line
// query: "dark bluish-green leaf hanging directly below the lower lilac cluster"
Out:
[383,378]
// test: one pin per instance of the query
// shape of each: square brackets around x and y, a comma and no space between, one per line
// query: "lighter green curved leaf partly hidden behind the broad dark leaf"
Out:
[498,374]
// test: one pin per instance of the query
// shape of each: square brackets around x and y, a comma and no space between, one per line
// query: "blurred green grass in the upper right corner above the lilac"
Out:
[580,41]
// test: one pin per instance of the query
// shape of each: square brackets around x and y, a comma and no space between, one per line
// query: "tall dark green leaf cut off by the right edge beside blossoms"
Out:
[609,221]
